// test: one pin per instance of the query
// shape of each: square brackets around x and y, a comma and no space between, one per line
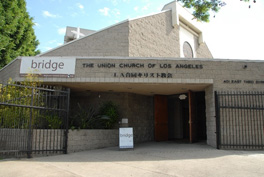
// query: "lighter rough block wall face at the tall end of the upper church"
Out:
[154,36]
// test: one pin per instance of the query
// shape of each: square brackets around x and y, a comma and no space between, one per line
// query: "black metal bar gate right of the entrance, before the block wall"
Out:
[240,120]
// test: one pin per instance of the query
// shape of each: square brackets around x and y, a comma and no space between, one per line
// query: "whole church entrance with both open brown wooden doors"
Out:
[180,117]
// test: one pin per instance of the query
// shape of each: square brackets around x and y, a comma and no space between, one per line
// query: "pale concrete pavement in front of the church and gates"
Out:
[154,159]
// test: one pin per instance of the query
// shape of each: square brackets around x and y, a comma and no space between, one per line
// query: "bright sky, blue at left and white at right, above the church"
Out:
[236,31]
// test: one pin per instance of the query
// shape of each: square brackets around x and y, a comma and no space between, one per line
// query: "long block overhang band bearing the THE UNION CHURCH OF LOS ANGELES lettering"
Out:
[146,76]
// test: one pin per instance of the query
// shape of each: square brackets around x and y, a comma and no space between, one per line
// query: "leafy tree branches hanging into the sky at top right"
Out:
[202,8]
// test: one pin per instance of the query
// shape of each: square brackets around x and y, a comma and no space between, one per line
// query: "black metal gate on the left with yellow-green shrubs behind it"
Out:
[33,120]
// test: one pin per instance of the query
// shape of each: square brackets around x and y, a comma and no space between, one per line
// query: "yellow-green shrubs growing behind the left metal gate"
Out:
[19,117]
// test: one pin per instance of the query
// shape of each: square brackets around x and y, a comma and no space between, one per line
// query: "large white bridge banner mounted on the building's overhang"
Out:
[48,65]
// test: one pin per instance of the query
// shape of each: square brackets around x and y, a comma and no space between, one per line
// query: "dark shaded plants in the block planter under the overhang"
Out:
[89,118]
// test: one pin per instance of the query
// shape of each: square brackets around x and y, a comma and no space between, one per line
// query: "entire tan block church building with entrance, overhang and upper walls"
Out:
[160,72]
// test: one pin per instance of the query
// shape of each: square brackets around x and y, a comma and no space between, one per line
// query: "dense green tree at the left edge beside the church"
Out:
[17,36]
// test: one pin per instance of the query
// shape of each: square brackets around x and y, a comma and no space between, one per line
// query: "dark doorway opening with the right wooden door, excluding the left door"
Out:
[186,117]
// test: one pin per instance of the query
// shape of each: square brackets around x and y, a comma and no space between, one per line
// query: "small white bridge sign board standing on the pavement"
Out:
[126,138]
